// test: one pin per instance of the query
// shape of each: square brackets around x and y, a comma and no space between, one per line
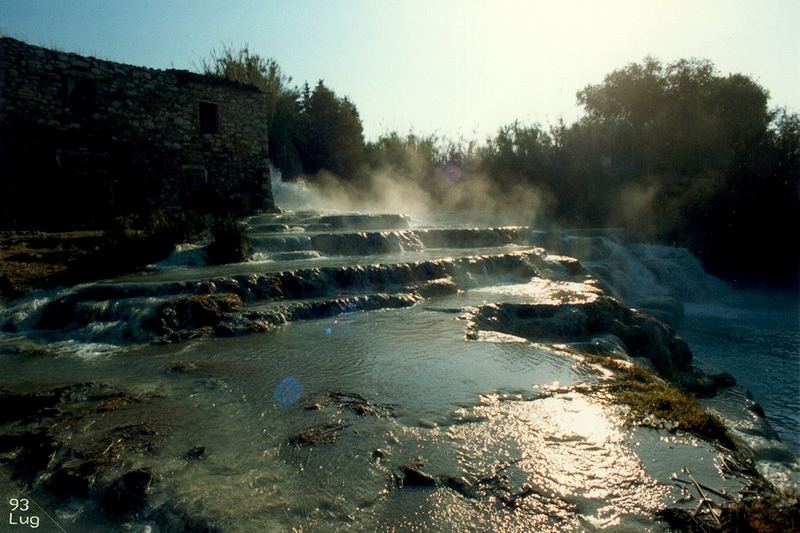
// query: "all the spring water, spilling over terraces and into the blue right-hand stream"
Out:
[329,383]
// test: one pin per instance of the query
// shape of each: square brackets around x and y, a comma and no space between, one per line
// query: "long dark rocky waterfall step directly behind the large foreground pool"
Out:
[131,311]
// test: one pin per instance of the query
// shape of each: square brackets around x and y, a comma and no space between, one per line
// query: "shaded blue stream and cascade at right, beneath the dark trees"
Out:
[753,334]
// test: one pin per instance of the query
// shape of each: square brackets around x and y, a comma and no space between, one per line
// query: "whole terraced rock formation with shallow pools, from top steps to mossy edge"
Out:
[363,370]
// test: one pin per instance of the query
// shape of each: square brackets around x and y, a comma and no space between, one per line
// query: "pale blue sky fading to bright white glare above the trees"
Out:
[454,68]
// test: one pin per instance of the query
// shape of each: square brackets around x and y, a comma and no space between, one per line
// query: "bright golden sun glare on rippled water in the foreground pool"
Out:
[563,461]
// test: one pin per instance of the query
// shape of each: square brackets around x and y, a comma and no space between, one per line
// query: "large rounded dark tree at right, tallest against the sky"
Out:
[707,149]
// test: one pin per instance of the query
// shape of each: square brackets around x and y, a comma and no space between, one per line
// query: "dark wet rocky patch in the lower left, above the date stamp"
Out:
[85,451]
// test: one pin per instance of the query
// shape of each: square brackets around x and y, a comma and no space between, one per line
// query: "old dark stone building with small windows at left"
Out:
[82,139]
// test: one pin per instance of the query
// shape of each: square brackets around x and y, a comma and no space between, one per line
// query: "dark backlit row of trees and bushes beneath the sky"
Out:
[674,153]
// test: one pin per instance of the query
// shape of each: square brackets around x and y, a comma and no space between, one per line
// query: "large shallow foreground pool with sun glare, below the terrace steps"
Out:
[499,411]
